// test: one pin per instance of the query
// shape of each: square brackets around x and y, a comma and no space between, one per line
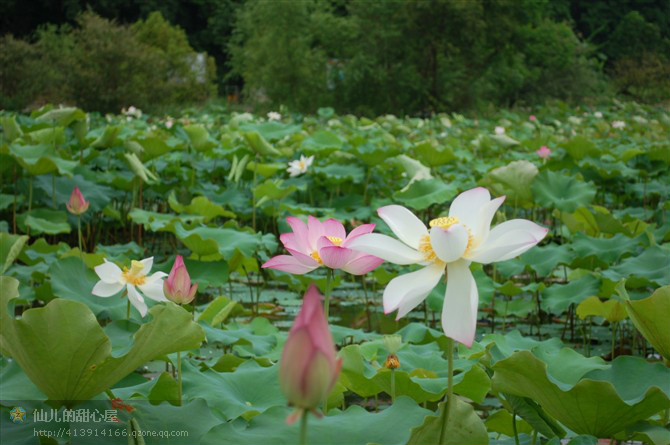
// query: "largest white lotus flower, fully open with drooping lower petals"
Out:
[452,243]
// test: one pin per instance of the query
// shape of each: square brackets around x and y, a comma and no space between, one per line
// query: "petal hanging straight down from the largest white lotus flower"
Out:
[459,312]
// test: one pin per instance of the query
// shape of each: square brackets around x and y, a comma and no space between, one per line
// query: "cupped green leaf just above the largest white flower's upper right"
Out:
[513,180]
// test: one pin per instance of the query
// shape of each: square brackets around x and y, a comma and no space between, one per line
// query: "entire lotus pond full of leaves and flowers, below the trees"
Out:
[499,279]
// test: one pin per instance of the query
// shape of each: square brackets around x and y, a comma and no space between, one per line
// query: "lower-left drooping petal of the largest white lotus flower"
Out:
[406,291]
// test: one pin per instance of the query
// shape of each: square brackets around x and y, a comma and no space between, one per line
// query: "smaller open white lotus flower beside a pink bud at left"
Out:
[113,280]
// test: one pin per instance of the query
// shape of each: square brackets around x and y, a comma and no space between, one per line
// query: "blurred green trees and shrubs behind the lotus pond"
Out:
[363,57]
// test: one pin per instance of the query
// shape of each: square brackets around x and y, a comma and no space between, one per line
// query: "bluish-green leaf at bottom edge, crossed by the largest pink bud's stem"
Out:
[355,426]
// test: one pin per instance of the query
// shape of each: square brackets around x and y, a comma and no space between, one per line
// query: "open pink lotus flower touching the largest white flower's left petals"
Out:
[324,243]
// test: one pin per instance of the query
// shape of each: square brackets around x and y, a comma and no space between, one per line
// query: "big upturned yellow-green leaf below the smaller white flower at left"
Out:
[65,352]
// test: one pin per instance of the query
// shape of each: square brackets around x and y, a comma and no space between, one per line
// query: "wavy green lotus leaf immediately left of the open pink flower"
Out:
[209,241]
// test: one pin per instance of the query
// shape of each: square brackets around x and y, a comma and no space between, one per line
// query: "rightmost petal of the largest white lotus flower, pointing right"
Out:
[507,240]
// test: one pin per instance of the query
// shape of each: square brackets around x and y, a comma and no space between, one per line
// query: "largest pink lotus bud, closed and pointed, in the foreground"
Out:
[309,366]
